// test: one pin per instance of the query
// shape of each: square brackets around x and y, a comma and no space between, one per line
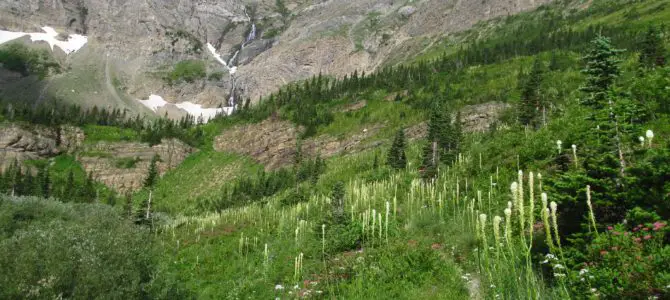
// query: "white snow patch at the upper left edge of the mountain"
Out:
[73,43]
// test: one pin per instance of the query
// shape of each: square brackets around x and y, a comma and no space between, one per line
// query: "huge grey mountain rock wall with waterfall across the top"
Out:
[132,44]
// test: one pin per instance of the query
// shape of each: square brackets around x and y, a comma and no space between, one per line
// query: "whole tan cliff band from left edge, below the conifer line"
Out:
[123,166]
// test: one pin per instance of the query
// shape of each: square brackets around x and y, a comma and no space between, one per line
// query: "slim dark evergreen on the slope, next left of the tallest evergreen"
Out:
[531,101]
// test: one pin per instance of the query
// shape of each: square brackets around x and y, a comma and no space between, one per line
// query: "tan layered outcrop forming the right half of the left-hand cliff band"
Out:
[124,166]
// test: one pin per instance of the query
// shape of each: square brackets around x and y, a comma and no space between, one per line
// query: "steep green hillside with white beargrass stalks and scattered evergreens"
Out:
[563,195]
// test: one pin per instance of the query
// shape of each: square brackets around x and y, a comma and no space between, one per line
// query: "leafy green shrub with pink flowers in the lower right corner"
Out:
[627,261]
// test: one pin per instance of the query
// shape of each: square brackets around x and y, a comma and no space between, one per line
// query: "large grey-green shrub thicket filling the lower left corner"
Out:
[75,251]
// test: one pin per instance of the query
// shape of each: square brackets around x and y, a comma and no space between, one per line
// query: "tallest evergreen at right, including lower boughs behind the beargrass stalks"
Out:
[602,159]
